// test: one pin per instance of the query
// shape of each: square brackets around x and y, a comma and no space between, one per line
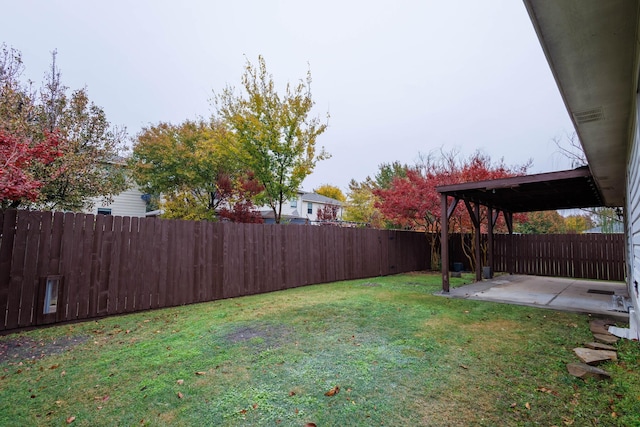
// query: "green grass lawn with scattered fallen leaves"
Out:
[399,355]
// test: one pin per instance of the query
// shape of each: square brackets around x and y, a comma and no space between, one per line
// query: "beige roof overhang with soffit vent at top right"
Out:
[592,48]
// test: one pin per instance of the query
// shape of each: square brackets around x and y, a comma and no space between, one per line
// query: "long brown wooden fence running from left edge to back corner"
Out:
[57,267]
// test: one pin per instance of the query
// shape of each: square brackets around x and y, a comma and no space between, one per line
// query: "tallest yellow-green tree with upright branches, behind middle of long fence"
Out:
[276,137]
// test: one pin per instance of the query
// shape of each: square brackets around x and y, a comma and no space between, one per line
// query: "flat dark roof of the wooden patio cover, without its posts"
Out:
[529,193]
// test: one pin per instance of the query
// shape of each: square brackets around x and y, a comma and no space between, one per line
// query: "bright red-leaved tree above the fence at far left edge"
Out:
[19,158]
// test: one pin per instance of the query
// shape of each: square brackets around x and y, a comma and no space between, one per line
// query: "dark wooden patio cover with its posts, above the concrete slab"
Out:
[530,193]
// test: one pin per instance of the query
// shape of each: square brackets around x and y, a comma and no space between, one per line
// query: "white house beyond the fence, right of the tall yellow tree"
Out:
[303,208]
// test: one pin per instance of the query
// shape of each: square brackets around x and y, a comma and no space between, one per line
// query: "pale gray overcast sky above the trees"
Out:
[398,78]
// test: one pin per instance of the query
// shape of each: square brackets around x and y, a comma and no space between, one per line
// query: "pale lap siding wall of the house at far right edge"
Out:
[632,214]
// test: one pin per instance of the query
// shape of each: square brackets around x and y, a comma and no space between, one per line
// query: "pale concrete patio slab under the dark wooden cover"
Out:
[575,295]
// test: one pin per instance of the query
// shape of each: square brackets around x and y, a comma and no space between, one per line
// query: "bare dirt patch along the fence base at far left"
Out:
[20,348]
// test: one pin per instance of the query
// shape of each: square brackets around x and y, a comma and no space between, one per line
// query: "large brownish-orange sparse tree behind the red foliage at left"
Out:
[88,165]
